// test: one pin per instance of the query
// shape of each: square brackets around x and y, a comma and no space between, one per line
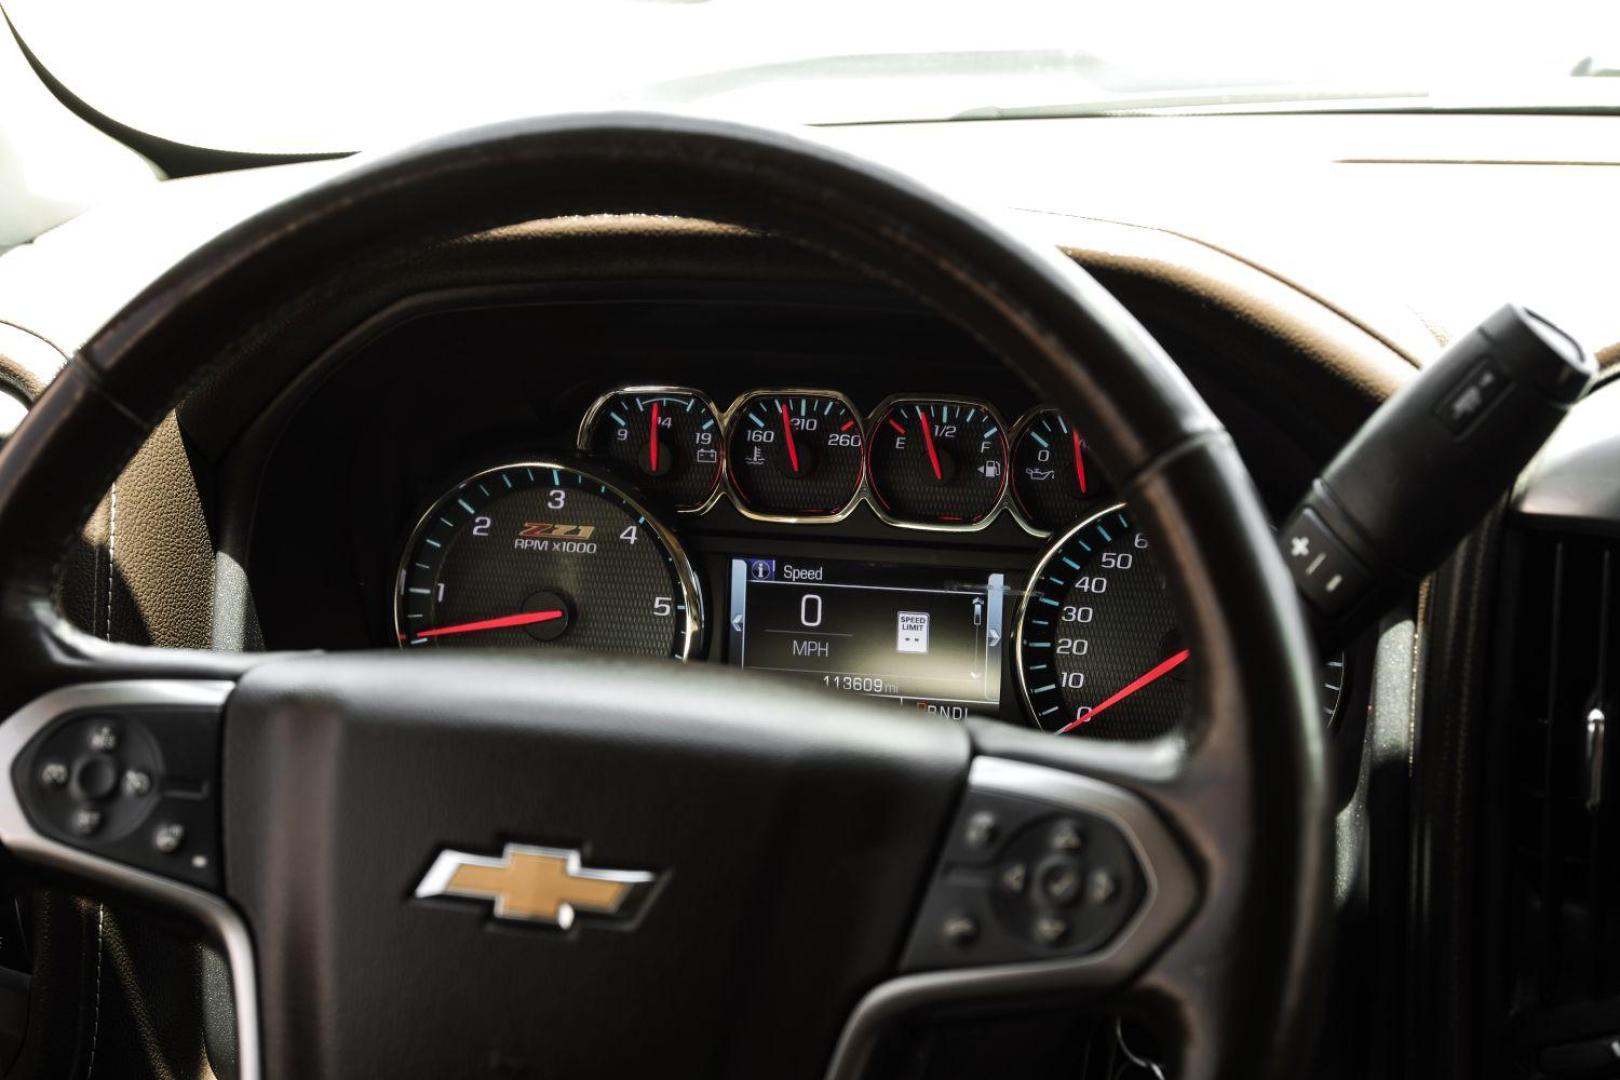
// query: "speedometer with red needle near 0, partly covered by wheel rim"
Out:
[1099,648]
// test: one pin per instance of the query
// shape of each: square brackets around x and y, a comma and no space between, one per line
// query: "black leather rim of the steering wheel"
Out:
[1243,789]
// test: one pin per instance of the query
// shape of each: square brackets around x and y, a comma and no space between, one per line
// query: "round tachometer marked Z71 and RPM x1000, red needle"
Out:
[539,555]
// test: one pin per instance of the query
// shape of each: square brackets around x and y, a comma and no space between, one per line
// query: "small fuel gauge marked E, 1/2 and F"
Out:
[937,462]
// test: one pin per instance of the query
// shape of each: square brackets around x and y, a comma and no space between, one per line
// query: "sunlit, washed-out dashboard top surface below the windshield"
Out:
[1294,195]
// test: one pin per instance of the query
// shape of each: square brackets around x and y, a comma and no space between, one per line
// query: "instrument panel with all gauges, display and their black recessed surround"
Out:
[850,495]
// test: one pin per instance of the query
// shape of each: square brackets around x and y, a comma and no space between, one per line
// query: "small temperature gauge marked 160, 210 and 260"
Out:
[795,456]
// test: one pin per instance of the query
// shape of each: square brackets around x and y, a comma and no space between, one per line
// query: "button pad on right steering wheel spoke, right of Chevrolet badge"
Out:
[1054,883]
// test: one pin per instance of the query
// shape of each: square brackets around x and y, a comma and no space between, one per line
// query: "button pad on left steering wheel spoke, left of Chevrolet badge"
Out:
[130,784]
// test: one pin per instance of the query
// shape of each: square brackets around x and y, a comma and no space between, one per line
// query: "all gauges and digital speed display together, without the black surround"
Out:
[561,551]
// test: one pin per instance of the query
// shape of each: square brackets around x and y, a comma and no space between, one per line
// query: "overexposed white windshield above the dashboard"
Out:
[326,75]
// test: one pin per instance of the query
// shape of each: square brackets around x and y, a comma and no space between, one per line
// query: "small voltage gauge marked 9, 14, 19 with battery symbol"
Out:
[667,438]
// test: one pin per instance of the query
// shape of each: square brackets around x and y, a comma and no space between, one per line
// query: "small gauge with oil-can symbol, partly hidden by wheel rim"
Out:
[1055,478]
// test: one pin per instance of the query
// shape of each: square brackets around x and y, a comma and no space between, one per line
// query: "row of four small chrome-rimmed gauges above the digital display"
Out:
[808,456]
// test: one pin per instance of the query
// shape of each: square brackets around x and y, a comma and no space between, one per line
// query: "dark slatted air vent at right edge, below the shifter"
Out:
[1562,718]
